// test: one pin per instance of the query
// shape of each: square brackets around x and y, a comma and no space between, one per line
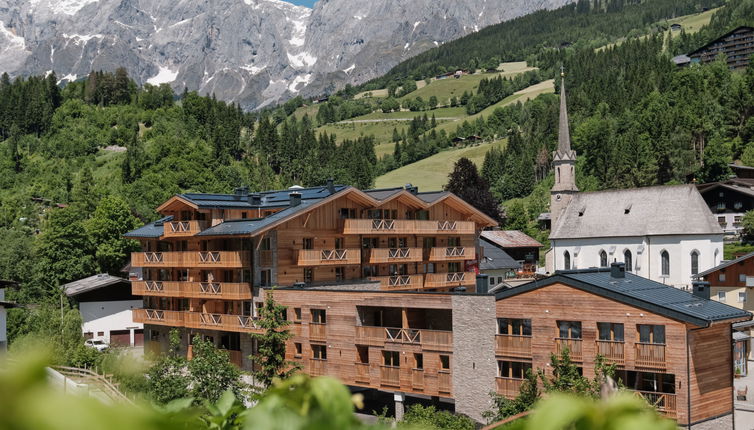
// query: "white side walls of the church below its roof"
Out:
[585,253]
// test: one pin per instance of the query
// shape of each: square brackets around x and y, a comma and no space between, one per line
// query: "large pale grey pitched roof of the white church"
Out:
[662,210]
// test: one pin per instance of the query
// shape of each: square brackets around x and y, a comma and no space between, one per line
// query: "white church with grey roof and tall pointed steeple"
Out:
[664,233]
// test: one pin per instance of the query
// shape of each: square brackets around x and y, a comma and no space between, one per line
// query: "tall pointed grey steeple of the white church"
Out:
[563,162]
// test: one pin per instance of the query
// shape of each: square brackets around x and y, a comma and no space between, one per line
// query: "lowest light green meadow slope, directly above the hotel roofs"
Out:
[431,174]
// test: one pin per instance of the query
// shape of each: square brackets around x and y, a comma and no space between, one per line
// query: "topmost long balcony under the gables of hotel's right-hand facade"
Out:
[394,226]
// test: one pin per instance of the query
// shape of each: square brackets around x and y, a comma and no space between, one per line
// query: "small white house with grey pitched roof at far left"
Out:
[105,303]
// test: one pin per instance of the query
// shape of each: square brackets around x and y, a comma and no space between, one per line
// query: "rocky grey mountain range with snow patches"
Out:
[254,52]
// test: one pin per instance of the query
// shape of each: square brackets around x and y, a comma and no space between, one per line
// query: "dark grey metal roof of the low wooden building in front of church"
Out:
[640,292]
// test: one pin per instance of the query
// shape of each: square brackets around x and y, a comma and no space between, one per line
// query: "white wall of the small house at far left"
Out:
[108,316]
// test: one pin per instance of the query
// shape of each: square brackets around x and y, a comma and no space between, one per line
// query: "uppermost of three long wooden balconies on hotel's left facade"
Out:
[197,259]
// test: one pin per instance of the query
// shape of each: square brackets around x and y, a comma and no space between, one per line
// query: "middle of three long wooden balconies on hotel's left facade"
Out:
[205,290]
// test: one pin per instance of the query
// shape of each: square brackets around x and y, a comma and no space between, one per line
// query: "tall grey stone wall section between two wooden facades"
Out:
[474,367]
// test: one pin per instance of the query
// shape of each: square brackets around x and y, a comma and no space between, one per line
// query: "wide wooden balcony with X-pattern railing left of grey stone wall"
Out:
[439,340]
